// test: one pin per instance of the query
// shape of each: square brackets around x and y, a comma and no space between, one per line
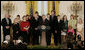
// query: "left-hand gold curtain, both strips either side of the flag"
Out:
[28,6]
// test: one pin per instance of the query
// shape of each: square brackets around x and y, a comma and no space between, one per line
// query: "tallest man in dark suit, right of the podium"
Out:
[52,19]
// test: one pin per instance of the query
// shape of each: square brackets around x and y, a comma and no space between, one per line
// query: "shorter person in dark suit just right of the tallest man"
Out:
[58,29]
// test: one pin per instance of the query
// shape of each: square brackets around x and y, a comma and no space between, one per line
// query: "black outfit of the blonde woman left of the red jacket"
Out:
[15,29]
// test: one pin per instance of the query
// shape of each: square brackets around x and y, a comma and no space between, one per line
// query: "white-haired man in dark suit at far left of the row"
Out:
[6,23]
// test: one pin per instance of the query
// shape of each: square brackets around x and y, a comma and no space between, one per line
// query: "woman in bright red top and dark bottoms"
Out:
[25,25]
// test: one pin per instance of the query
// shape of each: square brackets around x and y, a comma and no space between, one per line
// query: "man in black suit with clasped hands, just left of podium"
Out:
[35,22]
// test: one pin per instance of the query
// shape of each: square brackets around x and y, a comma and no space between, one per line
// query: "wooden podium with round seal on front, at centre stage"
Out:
[43,30]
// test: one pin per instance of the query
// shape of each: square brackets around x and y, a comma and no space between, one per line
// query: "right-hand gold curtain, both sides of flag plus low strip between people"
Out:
[50,8]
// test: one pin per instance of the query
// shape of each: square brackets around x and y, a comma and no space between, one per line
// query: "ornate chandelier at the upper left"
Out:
[8,7]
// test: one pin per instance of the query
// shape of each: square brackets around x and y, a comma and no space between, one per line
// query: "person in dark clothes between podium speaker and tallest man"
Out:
[48,32]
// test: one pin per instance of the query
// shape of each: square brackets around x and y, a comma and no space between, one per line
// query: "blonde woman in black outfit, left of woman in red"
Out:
[16,30]
